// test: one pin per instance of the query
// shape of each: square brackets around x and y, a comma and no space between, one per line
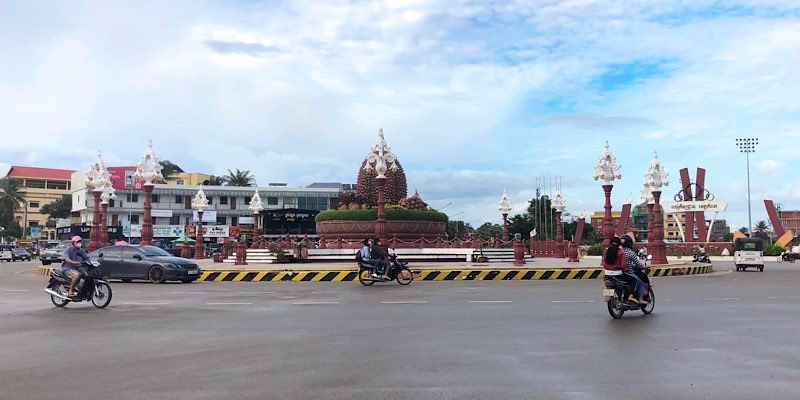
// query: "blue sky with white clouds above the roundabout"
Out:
[474,97]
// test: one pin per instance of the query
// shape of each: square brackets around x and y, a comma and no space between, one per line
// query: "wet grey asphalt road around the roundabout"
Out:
[727,336]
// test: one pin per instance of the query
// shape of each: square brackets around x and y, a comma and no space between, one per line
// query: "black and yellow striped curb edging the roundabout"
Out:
[466,274]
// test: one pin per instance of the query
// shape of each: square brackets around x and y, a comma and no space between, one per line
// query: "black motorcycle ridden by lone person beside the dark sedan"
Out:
[90,288]
